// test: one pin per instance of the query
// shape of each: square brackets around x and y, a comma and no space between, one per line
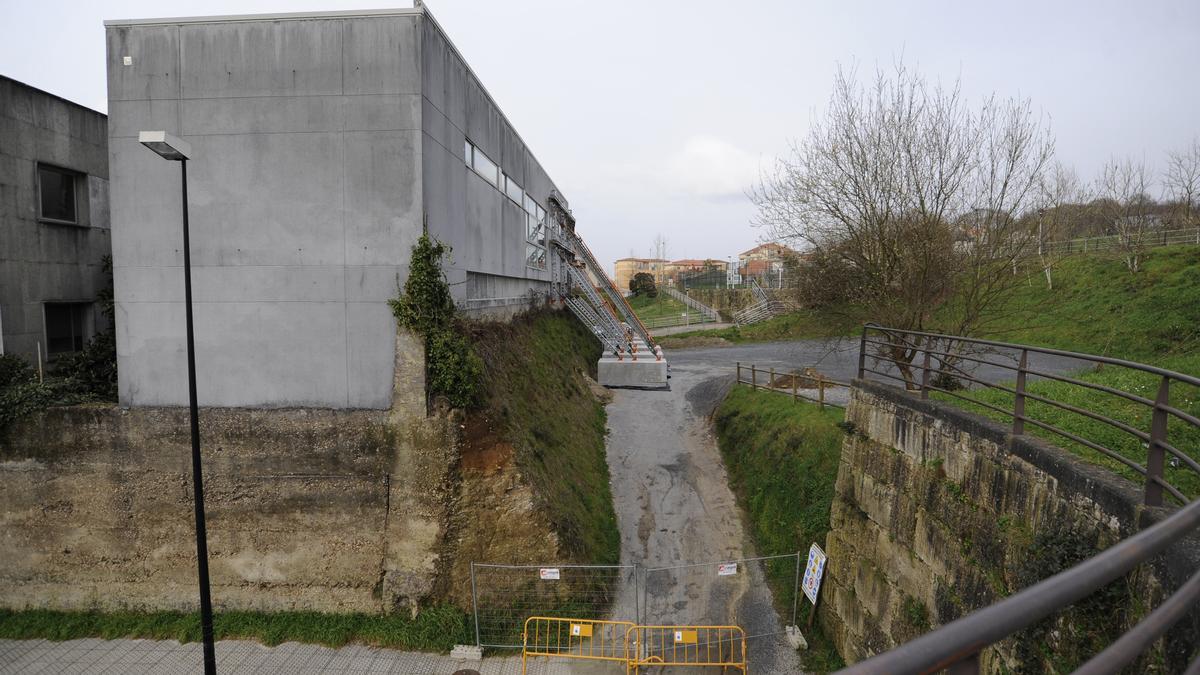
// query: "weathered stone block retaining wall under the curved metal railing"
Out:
[939,512]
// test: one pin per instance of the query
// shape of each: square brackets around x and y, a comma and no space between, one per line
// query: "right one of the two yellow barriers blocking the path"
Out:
[703,647]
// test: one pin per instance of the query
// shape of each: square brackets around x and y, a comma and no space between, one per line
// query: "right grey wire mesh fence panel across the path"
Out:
[740,593]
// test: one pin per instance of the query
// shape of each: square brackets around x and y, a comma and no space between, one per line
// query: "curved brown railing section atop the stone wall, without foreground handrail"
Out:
[943,355]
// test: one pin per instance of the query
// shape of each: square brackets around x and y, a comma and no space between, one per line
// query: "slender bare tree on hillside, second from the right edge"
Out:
[1127,208]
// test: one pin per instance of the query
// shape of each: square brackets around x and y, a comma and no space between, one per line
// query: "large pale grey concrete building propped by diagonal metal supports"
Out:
[322,145]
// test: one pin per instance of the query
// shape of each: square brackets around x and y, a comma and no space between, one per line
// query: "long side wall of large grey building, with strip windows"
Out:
[485,229]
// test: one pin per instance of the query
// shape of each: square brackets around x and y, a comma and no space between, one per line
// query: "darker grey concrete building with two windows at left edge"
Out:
[55,229]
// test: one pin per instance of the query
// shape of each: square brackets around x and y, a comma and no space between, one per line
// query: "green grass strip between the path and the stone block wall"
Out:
[783,461]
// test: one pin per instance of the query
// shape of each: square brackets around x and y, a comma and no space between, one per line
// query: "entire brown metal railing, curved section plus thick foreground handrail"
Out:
[957,647]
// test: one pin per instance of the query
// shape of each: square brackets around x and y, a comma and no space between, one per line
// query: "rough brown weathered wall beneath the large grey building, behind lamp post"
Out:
[316,510]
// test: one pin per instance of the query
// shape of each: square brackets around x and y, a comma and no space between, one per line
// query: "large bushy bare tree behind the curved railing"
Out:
[913,196]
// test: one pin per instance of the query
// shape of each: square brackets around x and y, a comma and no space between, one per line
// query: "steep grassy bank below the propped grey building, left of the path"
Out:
[536,393]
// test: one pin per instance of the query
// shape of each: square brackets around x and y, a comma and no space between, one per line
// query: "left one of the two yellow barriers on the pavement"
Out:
[585,640]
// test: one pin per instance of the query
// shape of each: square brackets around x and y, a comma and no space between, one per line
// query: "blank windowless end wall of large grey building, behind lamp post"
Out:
[305,201]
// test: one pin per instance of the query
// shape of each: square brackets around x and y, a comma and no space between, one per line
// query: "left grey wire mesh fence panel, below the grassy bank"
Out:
[505,598]
